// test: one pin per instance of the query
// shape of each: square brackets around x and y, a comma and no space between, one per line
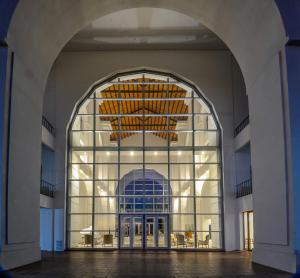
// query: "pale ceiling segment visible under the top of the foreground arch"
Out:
[145,28]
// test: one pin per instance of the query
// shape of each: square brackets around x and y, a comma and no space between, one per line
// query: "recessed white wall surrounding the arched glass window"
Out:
[74,72]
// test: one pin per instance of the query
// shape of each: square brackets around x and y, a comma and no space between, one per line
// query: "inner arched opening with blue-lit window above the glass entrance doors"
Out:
[144,207]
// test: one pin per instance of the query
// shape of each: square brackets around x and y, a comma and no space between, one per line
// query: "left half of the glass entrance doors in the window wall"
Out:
[131,232]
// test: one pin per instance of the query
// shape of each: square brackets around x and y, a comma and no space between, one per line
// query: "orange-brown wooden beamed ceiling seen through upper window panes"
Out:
[142,106]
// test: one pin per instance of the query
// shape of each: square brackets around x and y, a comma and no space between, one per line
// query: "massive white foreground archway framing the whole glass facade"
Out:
[252,40]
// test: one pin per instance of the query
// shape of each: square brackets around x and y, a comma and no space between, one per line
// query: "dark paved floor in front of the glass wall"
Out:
[145,264]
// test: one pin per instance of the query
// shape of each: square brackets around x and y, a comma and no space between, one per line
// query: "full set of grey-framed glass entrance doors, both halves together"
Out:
[144,231]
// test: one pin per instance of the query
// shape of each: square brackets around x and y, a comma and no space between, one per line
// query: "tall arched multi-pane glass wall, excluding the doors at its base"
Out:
[141,123]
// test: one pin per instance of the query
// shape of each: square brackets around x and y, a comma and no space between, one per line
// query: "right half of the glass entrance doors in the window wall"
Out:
[156,231]
